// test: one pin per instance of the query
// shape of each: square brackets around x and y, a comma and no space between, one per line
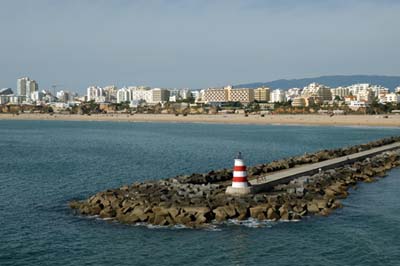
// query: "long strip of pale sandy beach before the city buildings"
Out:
[343,120]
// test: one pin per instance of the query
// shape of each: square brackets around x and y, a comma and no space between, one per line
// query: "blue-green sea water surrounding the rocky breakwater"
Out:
[45,164]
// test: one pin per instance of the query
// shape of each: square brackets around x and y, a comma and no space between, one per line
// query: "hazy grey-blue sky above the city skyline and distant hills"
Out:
[194,44]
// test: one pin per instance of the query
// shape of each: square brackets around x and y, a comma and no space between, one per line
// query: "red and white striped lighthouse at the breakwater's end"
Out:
[240,185]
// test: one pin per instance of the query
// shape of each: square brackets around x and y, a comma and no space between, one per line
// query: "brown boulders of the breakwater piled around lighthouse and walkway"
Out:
[199,199]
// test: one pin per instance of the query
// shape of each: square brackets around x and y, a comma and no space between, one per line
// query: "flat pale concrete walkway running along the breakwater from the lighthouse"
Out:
[266,182]
